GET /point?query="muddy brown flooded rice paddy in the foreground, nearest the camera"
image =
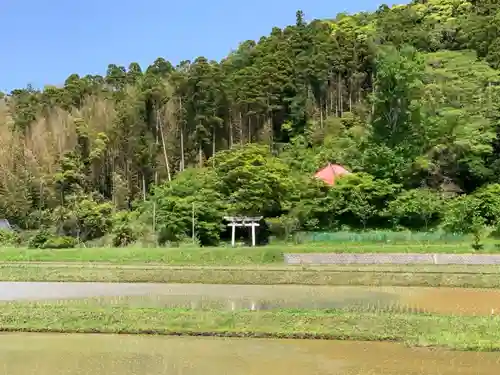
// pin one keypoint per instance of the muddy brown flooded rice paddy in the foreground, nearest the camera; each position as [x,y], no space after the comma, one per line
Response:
[59,354]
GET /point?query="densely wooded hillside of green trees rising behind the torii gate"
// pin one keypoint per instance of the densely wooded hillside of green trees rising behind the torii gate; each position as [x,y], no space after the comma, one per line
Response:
[406,95]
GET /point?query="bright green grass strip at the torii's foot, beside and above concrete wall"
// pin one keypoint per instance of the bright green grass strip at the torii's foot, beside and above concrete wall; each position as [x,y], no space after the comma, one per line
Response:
[272,254]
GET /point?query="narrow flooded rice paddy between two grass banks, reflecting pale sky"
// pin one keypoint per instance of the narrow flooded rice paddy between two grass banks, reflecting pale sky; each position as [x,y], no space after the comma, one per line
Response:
[256,297]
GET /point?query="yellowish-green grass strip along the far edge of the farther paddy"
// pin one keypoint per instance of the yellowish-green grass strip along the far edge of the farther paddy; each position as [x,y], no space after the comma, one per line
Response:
[376,275]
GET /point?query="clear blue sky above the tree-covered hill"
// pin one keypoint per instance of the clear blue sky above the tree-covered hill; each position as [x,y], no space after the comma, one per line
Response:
[44,41]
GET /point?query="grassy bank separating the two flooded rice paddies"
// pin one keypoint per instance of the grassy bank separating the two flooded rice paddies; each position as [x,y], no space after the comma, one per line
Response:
[460,333]
